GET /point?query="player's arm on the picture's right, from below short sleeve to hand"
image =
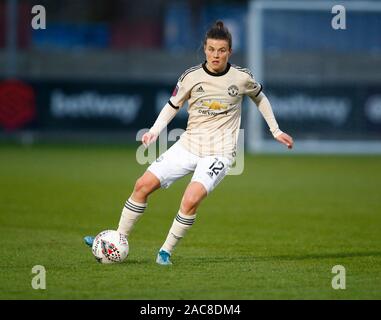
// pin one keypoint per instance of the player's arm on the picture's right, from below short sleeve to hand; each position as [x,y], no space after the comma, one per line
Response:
[266,110]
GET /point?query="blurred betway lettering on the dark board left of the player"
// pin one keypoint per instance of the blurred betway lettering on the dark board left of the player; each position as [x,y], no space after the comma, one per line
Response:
[93,105]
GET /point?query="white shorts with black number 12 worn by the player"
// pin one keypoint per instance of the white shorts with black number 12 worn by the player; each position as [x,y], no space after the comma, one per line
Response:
[177,162]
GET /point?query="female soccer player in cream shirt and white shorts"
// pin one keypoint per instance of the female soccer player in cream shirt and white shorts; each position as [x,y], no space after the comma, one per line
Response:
[214,91]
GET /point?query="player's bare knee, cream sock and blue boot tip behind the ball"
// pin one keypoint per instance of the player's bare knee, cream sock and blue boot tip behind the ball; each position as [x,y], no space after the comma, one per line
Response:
[135,205]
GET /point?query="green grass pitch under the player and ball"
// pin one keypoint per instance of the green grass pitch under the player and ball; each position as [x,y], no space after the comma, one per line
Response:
[274,232]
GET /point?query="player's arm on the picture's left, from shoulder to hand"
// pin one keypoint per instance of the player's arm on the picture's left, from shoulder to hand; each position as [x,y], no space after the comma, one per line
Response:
[180,94]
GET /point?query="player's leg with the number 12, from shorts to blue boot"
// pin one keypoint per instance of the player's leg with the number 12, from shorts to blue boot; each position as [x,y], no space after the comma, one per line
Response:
[209,172]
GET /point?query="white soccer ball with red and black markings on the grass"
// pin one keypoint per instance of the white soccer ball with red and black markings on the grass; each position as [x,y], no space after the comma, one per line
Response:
[110,246]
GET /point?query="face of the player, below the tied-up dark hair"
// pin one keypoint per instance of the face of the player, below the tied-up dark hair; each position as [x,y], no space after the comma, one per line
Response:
[217,54]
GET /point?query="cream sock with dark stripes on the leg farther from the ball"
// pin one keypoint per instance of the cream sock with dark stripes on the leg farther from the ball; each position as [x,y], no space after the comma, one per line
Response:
[181,224]
